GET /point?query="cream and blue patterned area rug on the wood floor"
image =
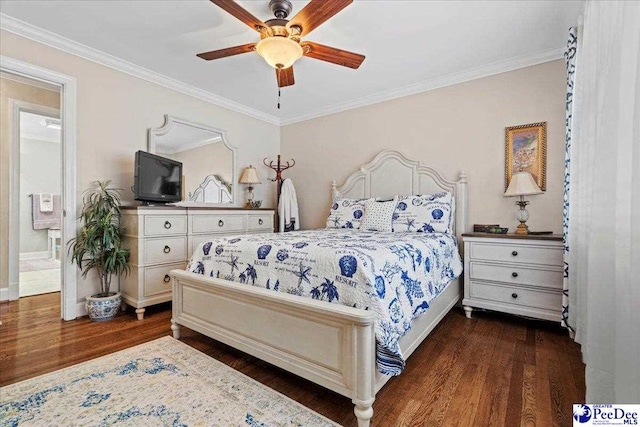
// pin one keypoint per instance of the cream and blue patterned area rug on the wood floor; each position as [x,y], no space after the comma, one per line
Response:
[163,382]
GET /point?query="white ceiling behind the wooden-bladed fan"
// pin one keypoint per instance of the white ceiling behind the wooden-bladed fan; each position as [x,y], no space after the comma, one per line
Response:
[411,46]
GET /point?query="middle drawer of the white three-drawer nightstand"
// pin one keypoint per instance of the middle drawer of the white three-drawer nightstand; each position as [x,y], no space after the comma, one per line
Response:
[516,274]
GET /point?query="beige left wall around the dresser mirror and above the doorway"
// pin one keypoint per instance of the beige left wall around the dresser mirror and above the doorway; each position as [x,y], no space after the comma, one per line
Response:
[116,109]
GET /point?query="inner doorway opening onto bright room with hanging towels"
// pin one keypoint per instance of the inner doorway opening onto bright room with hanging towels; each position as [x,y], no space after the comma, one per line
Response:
[40,174]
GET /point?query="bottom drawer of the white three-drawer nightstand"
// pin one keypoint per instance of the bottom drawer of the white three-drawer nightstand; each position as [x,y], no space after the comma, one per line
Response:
[547,300]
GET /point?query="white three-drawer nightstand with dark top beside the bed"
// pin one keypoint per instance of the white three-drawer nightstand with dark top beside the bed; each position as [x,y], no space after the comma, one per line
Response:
[513,274]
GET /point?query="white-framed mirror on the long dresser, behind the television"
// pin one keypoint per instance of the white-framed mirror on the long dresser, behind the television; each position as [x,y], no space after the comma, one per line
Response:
[208,160]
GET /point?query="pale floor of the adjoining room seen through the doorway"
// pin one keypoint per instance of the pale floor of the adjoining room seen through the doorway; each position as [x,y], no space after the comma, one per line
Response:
[39,276]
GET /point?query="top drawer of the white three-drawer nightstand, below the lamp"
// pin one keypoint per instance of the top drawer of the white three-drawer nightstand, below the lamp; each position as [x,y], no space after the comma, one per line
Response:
[521,254]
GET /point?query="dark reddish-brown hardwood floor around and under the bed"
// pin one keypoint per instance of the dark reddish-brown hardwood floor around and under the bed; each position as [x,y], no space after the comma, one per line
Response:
[492,370]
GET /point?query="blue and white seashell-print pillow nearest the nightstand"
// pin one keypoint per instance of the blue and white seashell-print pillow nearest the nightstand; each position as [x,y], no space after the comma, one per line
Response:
[429,213]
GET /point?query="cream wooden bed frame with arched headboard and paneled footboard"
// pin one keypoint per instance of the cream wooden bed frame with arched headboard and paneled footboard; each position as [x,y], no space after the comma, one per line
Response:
[329,344]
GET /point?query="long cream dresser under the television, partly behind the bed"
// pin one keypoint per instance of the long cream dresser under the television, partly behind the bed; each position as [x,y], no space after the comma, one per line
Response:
[163,238]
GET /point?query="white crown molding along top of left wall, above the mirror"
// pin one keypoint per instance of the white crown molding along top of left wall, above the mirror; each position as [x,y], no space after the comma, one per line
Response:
[40,35]
